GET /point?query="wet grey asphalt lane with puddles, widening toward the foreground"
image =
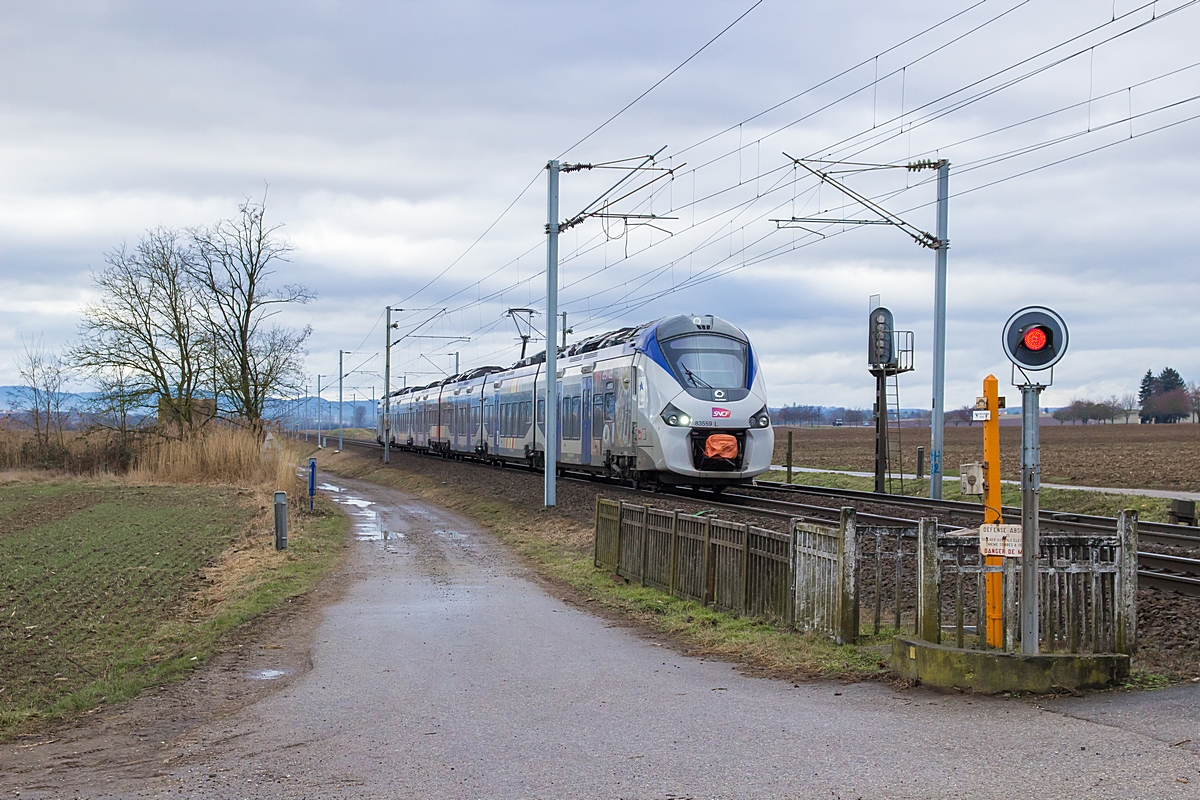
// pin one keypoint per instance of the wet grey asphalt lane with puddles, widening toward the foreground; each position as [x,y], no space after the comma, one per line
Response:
[445,672]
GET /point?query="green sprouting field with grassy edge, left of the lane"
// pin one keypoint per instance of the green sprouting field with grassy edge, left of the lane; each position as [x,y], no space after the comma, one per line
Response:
[103,586]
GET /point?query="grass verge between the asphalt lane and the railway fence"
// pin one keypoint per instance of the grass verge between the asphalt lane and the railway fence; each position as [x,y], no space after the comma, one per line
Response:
[560,550]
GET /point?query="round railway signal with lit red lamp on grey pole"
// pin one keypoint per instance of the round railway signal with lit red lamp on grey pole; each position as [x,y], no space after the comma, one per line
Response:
[1035,340]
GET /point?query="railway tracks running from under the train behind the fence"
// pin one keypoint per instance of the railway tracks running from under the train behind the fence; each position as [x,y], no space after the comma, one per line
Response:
[1168,573]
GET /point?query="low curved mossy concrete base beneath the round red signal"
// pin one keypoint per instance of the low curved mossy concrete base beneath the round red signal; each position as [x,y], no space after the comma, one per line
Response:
[991,672]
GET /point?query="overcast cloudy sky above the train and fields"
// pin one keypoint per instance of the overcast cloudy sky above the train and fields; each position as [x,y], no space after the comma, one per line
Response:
[392,136]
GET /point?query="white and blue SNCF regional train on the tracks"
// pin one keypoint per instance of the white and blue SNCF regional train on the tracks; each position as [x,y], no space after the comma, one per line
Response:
[679,401]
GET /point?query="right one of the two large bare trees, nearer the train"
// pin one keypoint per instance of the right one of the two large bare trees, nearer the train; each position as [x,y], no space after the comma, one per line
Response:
[236,261]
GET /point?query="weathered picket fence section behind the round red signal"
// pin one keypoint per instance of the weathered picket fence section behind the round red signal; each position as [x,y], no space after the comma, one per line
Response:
[1088,588]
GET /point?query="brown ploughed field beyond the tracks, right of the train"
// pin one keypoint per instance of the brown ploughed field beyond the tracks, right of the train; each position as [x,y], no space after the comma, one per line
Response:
[1136,456]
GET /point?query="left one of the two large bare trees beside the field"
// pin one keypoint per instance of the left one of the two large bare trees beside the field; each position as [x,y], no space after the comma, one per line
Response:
[148,329]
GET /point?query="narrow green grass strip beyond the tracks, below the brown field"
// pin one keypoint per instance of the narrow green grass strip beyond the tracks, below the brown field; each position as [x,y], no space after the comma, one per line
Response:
[1065,501]
